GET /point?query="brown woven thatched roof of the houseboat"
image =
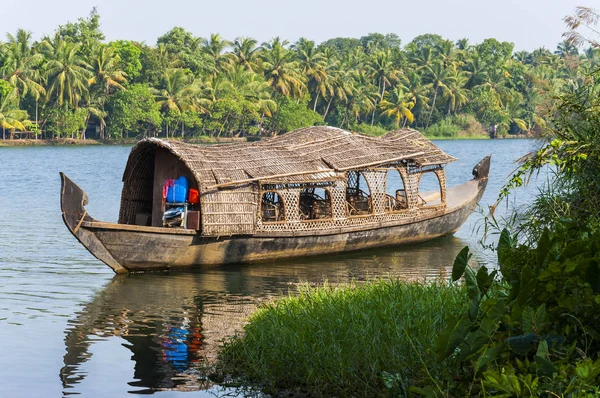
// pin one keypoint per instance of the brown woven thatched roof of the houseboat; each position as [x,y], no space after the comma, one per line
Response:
[308,154]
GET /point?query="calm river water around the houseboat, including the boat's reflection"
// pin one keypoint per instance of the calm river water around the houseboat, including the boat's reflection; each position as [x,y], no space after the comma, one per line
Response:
[69,326]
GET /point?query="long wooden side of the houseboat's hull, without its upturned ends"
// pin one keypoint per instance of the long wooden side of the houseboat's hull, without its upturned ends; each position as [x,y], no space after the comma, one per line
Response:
[140,251]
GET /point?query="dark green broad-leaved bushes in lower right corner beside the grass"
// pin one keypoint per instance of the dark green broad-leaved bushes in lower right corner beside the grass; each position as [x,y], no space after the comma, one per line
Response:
[537,331]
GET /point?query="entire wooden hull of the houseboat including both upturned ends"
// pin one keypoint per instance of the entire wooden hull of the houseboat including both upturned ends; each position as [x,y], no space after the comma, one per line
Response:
[128,248]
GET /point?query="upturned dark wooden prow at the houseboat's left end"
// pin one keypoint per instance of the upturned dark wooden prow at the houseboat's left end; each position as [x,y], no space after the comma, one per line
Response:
[72,203]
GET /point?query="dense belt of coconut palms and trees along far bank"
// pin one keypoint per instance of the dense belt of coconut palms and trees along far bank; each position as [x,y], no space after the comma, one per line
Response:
[73,83]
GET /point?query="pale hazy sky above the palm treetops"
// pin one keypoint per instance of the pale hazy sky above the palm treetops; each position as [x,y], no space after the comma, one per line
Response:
[529,24]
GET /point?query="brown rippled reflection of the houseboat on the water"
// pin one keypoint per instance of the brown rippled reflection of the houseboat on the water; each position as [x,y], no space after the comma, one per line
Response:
[173,324]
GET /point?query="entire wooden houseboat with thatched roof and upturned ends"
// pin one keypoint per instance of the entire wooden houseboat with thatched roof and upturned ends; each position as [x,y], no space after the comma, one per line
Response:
[312,191]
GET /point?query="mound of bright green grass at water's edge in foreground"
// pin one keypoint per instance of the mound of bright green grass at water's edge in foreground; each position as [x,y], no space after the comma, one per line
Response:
[340,341]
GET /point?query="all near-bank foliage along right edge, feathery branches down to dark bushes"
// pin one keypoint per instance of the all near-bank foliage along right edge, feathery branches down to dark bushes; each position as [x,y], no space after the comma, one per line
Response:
[533,329]
